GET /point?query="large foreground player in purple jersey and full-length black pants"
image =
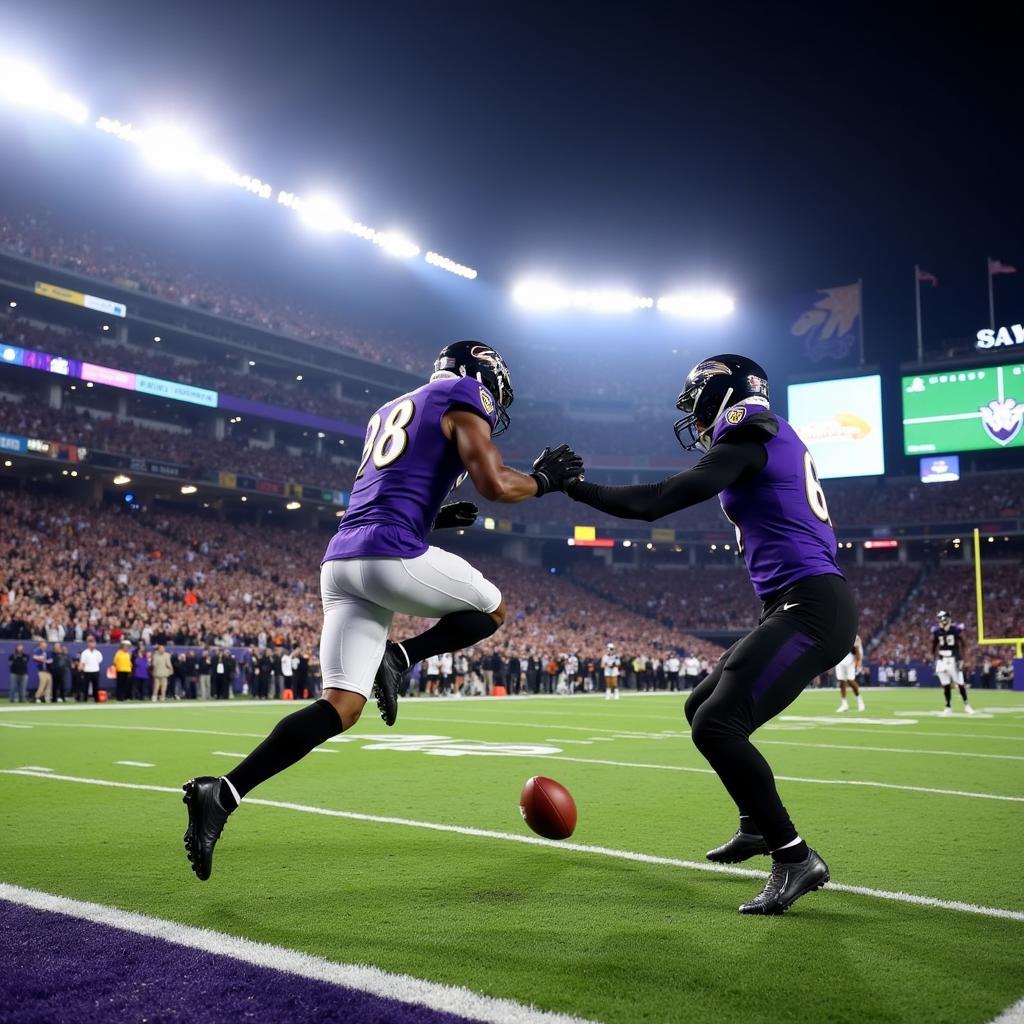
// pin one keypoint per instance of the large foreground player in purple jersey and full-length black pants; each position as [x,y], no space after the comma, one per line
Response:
[769,487]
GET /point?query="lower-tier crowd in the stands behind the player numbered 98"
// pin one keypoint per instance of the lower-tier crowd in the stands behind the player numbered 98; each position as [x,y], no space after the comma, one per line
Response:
[68,573]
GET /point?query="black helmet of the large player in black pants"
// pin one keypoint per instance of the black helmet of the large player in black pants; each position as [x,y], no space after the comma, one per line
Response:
[712,387]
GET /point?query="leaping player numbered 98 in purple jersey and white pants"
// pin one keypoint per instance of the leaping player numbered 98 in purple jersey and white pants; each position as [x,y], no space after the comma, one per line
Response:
[417,449]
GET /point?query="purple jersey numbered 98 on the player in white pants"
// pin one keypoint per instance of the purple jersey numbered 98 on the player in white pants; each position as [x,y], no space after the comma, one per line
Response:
[409,467]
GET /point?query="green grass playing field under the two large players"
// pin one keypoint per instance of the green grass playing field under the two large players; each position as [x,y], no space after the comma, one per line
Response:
[580,933]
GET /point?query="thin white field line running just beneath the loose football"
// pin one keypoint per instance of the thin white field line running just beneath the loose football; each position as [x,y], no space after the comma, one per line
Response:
[604,851]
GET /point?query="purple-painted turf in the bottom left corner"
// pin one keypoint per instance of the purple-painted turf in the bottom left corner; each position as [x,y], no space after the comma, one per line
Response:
[60,970]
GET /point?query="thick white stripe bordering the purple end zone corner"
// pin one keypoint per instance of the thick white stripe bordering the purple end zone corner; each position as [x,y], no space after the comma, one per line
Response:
[401,988]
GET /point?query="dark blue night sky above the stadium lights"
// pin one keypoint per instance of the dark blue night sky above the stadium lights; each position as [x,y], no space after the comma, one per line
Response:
[772,149]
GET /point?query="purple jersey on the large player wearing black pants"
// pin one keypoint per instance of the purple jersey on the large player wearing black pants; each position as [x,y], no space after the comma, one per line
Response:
[781,516]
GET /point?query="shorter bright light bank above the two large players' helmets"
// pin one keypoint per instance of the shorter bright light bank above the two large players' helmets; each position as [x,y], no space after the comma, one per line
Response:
[549,296]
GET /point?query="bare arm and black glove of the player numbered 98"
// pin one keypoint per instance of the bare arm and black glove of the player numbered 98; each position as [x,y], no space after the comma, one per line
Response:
[495,481]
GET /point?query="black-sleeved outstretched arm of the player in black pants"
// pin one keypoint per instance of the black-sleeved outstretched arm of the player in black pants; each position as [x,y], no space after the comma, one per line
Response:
[722,466]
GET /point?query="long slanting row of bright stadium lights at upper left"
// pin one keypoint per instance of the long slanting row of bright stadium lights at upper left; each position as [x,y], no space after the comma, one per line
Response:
[172,149]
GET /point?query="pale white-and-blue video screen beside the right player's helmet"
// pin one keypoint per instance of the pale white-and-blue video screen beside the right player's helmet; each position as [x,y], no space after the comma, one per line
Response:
[841,422]
